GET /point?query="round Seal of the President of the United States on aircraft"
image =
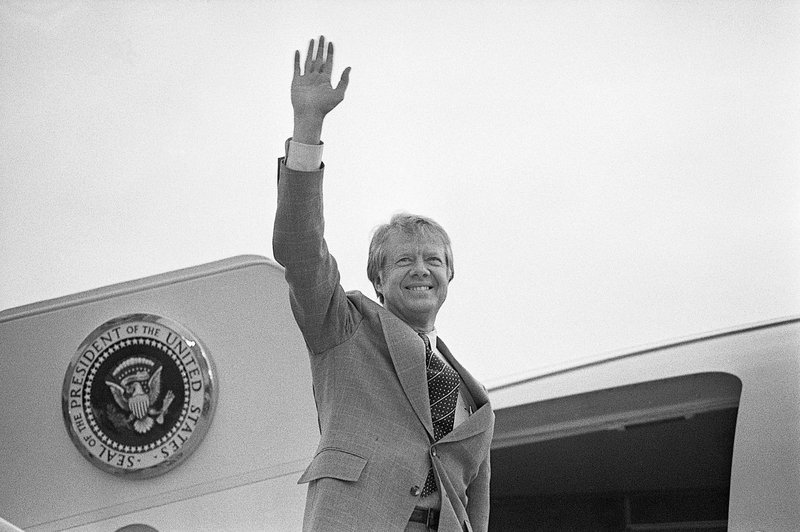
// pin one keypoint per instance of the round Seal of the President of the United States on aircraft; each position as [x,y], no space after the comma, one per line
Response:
[139,395]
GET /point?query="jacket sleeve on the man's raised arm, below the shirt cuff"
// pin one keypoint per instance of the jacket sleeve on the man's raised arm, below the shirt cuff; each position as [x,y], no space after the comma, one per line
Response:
[320,306]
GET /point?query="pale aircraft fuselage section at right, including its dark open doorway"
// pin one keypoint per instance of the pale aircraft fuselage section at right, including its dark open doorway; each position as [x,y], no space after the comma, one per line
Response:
[701,433]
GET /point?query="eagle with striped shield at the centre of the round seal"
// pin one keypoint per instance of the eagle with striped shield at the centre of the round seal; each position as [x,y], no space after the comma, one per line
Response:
[136,387]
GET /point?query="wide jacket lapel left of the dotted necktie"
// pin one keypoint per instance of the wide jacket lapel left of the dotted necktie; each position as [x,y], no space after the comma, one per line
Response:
[408,356]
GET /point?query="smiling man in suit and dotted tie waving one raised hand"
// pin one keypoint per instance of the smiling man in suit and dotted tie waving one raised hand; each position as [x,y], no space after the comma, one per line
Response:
[405,430]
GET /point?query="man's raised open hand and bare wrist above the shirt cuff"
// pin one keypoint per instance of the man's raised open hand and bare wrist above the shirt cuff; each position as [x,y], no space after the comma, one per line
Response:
[313,96]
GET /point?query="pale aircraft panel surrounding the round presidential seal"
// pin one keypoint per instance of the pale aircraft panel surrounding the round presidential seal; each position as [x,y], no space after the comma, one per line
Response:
[245,469]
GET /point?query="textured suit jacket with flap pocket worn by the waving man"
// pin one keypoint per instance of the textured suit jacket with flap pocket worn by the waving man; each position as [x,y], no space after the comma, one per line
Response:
[370,387]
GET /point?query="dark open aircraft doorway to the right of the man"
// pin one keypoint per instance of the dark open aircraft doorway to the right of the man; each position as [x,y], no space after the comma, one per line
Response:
[650,456]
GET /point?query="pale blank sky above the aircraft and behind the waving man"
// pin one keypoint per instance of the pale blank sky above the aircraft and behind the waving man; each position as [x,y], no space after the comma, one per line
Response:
[611,173]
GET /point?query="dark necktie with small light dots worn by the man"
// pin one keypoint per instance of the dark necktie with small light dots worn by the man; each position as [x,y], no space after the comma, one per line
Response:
[443,383]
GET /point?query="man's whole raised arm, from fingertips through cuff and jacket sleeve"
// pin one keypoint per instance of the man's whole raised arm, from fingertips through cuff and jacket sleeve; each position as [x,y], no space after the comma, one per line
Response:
[319,303]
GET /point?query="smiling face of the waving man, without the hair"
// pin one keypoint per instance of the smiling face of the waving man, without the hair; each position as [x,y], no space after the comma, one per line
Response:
[414,279]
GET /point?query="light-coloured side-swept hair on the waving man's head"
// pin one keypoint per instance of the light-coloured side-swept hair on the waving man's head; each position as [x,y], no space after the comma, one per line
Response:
[408,224]
